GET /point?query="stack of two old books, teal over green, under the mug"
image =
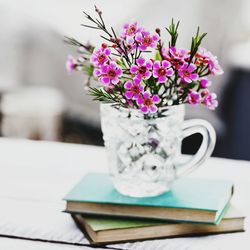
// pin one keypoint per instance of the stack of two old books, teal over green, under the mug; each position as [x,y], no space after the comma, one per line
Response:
[192,207]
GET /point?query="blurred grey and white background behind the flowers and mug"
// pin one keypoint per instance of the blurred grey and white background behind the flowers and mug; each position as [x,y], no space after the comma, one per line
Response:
[41,100]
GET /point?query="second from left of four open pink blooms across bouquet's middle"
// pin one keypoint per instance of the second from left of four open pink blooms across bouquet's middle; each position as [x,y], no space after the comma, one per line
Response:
[142,69]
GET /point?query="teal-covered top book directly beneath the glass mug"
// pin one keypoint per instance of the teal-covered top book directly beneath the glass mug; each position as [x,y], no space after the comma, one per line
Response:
[190,200]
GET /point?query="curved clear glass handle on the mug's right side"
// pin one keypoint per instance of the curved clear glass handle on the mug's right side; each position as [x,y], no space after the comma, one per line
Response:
[207,131]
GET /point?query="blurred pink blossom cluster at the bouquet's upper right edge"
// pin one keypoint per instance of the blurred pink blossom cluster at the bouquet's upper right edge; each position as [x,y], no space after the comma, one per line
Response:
[206,57]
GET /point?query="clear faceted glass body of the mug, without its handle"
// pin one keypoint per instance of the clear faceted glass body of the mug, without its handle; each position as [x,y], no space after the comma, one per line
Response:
[143,150]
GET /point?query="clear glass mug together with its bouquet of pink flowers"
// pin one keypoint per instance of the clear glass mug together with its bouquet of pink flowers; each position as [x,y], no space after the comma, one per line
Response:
[143,83]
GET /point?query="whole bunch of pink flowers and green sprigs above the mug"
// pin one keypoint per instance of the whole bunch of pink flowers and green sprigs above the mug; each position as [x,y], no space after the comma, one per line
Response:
[132,78]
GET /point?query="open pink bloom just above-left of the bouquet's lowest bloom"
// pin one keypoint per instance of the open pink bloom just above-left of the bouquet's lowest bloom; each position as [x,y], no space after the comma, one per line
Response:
[133,89]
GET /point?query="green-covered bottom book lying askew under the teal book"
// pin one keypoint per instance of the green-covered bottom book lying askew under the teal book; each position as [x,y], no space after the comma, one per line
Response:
[112,230]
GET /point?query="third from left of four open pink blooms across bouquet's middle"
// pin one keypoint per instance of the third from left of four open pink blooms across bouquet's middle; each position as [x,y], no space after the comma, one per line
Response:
[162,70]
